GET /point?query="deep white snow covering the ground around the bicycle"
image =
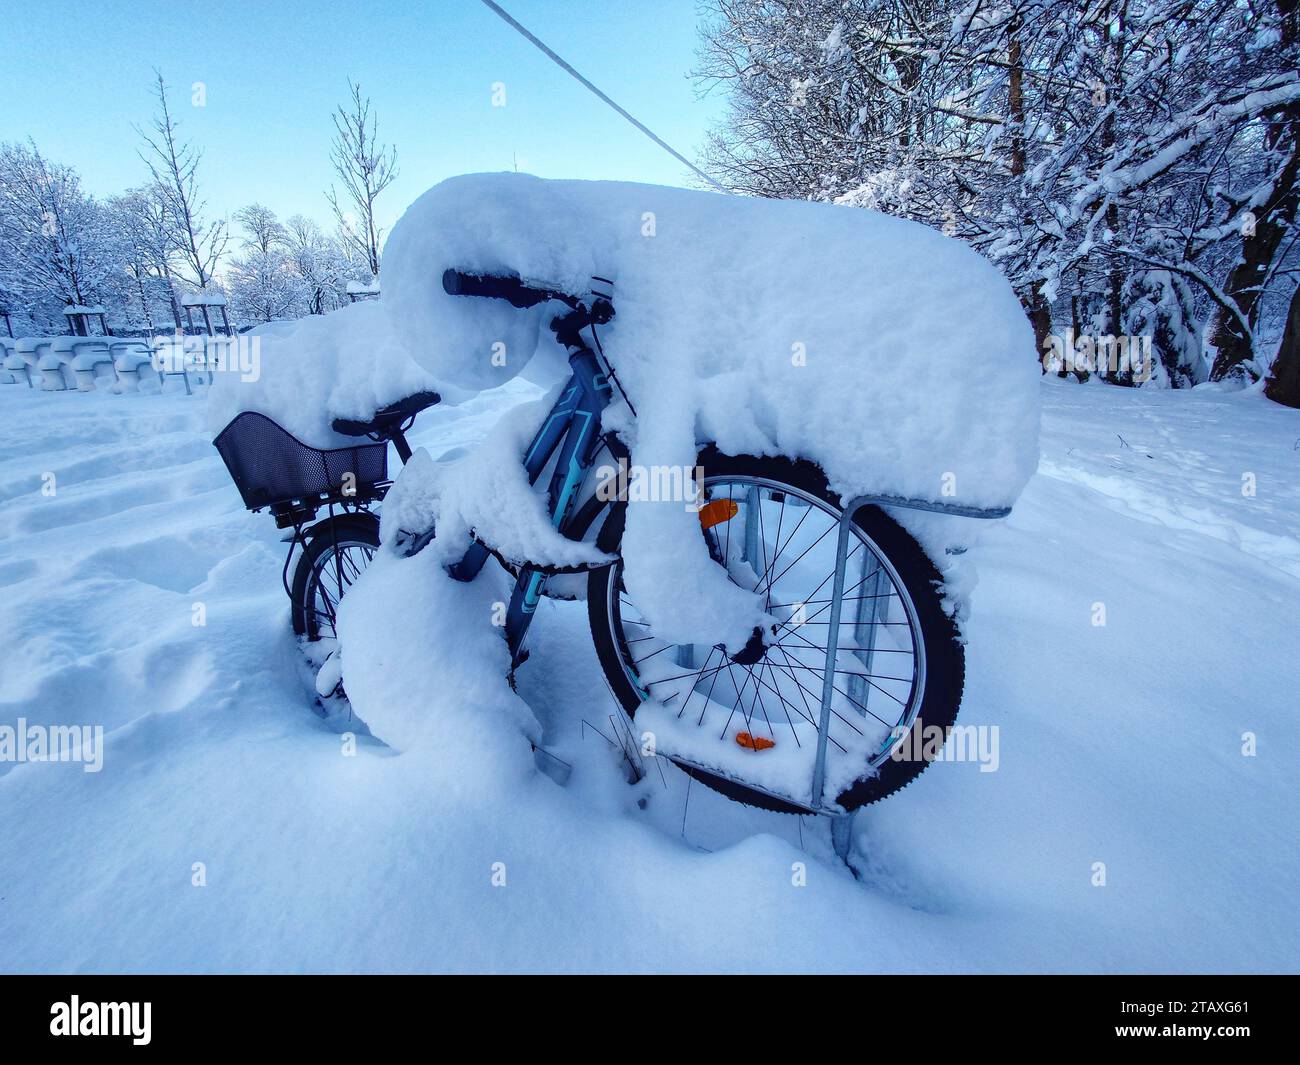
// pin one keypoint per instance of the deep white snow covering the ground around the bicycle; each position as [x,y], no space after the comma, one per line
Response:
[1119,744]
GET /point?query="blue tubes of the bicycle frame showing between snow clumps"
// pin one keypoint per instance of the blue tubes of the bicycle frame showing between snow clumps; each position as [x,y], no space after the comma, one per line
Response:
[574,430]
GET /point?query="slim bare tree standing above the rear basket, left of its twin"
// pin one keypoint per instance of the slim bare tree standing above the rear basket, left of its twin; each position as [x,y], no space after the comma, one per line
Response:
[197,244]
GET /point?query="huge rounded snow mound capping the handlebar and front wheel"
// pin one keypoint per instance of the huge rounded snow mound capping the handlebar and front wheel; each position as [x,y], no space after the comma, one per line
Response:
[898,360]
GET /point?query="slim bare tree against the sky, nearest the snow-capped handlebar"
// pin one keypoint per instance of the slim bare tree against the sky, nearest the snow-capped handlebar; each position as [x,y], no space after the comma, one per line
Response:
[365,168]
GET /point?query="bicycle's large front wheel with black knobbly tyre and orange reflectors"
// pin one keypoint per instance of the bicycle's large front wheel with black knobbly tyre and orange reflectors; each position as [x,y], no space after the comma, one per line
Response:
[749,724]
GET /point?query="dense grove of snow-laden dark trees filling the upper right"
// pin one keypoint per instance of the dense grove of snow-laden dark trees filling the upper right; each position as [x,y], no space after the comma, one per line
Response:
[1059,137]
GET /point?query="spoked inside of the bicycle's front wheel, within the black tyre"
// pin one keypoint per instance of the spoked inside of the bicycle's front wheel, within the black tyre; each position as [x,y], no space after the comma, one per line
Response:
[786,681]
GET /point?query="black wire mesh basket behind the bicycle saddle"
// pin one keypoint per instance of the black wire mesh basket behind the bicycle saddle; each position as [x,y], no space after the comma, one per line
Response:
[270,465]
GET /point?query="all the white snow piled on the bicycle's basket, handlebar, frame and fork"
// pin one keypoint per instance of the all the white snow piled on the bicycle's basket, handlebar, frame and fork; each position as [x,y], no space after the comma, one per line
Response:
[896,360]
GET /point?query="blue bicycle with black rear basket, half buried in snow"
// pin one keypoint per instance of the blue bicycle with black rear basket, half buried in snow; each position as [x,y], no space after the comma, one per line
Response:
[855,651]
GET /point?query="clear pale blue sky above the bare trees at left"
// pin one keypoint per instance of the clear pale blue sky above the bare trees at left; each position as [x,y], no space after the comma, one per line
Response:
[77,76]
